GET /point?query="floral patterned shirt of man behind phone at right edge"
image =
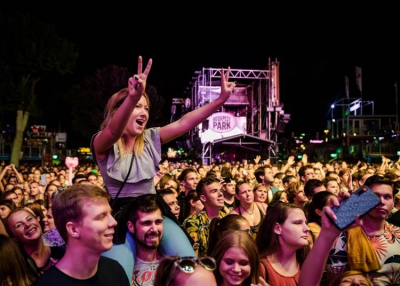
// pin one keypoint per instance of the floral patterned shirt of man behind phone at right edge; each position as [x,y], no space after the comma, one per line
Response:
[387,248]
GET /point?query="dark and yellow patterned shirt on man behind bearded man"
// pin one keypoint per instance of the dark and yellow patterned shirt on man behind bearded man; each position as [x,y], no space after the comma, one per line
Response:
[198,227]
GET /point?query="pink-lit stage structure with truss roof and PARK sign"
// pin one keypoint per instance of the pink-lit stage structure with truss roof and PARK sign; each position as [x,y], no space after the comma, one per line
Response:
[251,118]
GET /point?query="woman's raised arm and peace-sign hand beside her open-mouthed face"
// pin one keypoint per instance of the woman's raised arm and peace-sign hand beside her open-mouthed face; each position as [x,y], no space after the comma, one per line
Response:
[115,128]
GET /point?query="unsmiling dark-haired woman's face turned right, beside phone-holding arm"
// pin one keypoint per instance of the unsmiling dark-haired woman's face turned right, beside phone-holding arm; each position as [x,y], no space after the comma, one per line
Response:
[293,232]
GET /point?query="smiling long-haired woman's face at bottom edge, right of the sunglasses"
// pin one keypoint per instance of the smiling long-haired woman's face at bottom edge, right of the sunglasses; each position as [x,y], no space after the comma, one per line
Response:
[235,266]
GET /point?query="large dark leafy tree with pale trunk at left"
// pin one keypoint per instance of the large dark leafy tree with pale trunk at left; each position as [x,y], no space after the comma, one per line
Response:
[30,50]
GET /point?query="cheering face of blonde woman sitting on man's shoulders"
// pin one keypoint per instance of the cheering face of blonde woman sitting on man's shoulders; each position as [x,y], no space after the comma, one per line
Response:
[138,119]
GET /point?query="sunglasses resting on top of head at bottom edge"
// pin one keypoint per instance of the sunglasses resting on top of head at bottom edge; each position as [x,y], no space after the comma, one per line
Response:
[189,264]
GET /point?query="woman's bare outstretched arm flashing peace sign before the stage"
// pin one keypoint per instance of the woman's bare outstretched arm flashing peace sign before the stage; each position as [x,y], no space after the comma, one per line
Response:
[195,117]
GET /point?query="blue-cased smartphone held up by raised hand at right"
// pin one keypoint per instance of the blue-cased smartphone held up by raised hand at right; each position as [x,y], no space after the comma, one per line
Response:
[359,203]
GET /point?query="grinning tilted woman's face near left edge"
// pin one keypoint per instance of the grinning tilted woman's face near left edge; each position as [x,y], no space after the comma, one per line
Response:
[24,226]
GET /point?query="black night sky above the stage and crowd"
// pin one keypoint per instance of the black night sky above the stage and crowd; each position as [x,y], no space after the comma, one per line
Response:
[315,52]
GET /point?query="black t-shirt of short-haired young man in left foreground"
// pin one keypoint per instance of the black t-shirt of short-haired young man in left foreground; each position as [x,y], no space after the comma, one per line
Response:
[109,272]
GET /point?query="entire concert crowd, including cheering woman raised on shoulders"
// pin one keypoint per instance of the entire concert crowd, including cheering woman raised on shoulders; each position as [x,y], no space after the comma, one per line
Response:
[133,219]
